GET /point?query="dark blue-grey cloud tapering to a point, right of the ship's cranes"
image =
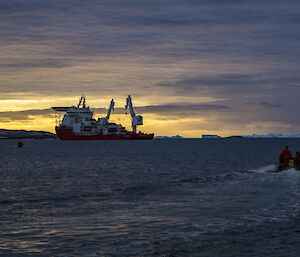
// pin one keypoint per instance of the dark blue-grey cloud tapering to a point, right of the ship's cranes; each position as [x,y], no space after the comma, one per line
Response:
[238,89]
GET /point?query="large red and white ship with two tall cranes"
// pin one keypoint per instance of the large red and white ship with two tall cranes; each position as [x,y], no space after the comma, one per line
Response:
[78,124]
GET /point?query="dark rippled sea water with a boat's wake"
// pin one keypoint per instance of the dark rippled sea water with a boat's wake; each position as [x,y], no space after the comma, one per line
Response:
[148,198]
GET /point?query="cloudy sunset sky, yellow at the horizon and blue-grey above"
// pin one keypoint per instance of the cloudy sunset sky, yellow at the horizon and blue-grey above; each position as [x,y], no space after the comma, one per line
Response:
[192,67]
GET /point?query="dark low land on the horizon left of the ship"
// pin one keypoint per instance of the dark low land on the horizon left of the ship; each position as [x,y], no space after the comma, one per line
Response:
[15,134]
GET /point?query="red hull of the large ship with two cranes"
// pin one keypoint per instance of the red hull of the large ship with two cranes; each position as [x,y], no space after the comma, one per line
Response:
[64,133]
